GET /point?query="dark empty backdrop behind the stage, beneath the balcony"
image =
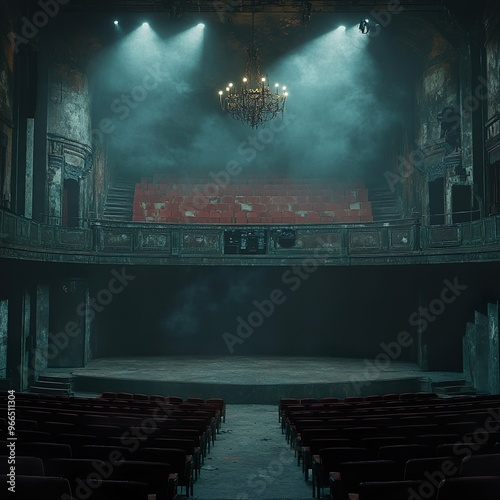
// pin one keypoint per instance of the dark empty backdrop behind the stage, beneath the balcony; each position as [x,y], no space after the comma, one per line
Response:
[287,311]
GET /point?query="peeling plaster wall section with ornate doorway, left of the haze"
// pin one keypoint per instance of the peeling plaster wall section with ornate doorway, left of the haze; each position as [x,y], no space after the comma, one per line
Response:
[69,121]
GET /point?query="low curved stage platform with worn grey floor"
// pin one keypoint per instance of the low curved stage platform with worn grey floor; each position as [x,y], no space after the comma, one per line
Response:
[251,379]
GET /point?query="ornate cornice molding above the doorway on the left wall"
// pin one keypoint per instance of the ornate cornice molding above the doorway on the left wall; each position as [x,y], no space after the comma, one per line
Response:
[75,159]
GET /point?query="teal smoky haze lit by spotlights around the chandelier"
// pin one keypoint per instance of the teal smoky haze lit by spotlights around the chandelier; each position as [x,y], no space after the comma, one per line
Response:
[160,92]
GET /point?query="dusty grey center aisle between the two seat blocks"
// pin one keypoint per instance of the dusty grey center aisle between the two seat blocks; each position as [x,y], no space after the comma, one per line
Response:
[251,460]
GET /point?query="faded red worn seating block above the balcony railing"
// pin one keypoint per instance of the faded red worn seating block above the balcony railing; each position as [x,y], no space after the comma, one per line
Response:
[261,201]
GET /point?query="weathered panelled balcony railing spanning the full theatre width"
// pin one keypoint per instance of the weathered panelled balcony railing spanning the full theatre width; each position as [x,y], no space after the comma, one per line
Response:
[330,244]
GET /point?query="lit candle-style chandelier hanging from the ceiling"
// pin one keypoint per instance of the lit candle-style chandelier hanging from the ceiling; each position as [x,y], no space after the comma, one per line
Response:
[253,103]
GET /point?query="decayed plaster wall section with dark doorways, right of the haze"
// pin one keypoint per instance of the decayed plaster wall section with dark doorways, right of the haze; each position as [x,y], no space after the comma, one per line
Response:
[445,83]
